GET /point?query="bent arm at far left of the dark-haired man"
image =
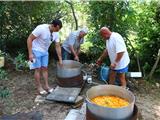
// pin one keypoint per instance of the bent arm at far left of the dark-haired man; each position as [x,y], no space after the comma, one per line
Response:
[29,45]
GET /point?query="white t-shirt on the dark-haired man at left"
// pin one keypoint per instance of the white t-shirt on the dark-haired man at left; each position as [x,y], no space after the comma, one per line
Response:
[43,40]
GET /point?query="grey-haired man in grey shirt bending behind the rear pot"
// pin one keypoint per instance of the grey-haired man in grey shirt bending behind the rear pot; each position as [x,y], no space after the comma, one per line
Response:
[71,46]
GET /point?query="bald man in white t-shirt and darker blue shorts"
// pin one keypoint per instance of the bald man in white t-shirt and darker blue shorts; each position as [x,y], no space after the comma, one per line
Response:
[118,55]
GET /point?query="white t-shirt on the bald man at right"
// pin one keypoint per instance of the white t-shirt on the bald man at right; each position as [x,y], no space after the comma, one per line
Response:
[115,45]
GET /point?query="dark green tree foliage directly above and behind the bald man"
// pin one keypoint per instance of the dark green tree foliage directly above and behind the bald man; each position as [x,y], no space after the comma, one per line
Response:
[117,15]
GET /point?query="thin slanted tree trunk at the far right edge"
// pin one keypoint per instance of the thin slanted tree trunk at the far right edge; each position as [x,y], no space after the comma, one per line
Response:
[154,67]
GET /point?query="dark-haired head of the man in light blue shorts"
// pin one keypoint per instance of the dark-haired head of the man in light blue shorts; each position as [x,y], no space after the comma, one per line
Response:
[56,25]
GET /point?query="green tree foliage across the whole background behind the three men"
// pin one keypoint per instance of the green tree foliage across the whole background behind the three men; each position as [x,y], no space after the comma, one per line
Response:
[137,21]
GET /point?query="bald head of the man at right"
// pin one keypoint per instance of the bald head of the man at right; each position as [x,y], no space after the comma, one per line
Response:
[105,33]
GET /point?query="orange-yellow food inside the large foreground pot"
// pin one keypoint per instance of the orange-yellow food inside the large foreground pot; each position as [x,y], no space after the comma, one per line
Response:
[110,101]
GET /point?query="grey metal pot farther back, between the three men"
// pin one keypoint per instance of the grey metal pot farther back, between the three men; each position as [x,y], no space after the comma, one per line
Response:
[69,69]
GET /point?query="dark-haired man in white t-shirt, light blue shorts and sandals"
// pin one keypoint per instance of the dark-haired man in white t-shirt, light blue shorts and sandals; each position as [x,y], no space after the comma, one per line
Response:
[38,43]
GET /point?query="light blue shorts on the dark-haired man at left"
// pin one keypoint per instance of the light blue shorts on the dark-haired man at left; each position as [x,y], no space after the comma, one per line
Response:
[41,59]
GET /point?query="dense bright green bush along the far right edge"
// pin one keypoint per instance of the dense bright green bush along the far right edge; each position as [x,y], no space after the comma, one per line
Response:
[148,33]
